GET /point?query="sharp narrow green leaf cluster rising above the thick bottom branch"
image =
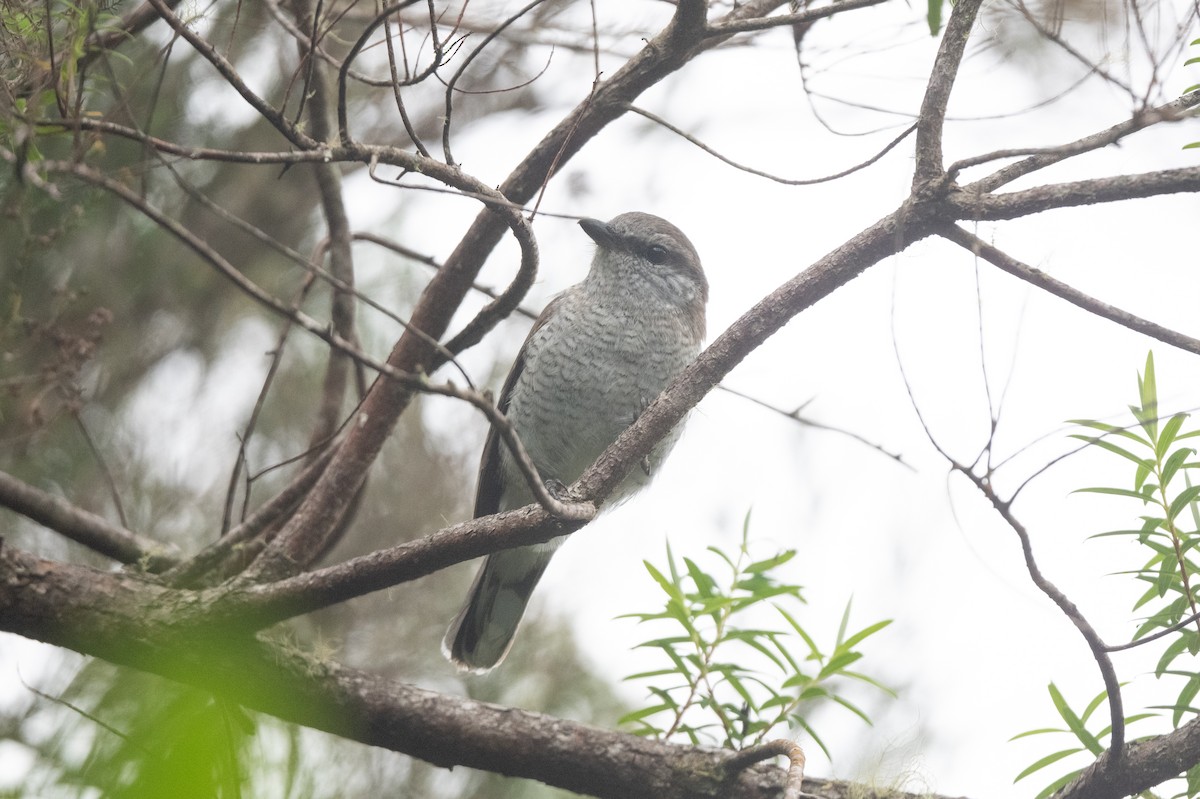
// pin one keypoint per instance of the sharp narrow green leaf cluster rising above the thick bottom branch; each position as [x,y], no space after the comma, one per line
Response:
[728,680]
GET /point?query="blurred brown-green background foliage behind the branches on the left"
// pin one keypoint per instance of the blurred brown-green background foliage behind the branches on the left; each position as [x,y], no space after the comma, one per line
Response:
[129,370]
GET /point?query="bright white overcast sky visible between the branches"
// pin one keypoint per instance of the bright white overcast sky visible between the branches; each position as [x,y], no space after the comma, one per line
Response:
[974,644]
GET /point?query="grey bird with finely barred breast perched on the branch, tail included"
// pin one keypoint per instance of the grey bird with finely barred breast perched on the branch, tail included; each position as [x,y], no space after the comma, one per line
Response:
[598,355]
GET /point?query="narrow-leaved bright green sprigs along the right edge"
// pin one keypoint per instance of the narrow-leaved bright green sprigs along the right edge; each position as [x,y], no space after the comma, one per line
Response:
[1163,456]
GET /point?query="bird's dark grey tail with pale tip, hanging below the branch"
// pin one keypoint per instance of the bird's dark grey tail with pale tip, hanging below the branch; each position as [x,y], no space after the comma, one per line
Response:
[482,635]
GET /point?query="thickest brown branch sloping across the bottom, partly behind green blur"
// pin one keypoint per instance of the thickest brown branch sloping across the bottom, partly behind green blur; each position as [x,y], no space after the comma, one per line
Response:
[122,620]
